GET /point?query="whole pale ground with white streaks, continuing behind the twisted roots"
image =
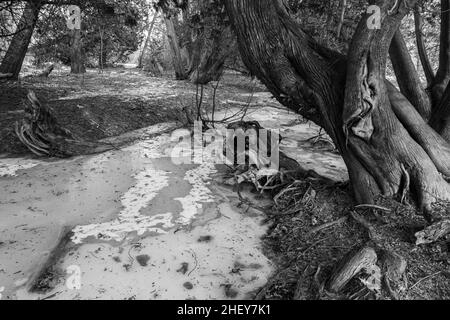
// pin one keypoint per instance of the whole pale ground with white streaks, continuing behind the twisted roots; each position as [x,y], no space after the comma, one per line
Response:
[134,224]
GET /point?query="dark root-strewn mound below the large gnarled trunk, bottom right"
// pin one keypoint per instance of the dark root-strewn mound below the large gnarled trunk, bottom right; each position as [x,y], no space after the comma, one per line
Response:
[334,250]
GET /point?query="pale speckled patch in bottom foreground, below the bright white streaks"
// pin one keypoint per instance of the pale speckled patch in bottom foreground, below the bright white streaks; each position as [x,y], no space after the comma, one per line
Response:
[235,244]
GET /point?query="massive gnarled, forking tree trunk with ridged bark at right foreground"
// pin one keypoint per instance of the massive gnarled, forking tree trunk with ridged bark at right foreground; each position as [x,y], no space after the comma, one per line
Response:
[384,138]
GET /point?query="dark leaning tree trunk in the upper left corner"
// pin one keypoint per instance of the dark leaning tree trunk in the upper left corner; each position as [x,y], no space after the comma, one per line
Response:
[17,50]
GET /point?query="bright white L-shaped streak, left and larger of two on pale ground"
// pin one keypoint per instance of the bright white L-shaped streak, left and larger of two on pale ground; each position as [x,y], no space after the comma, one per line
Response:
[149,183]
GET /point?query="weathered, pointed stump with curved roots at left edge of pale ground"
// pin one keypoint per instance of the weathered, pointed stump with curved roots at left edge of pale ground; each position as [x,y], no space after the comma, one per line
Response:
[40,132]
